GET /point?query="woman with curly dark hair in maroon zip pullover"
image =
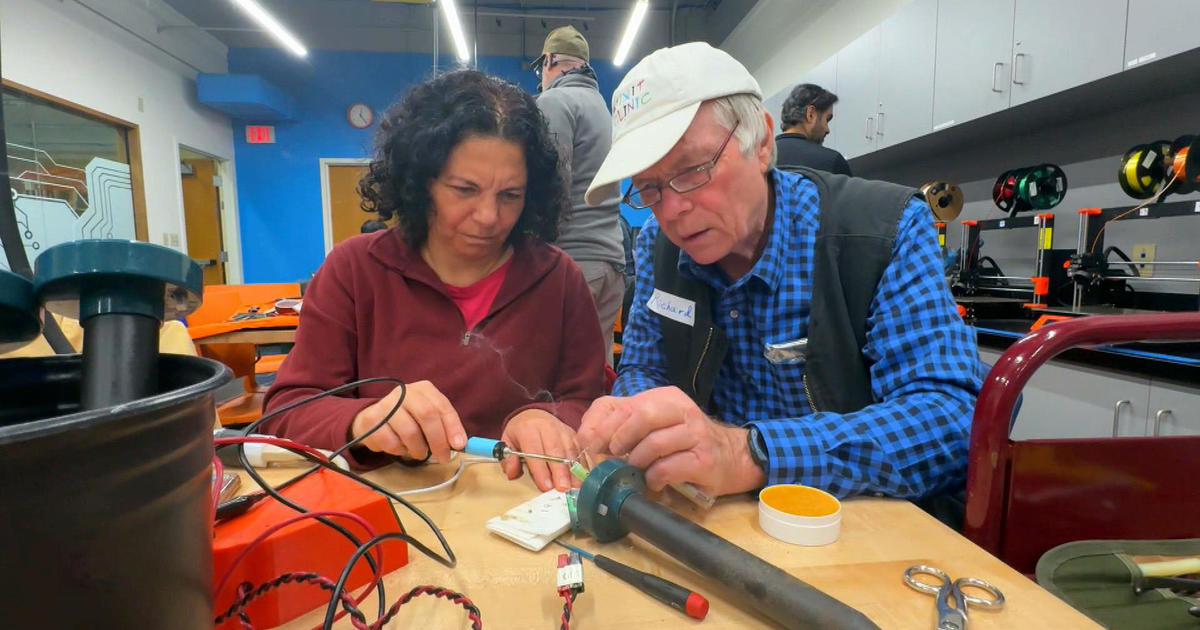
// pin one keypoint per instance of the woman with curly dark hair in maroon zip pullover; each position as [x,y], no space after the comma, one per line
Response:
[491,328]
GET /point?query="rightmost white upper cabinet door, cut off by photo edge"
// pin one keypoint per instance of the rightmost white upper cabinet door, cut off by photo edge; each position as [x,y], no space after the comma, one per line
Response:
[1161,28]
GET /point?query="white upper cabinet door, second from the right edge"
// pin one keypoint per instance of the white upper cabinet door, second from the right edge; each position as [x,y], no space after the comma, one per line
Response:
[1060,45]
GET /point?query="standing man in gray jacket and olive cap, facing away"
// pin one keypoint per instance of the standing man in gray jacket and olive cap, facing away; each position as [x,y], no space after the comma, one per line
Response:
[583,128]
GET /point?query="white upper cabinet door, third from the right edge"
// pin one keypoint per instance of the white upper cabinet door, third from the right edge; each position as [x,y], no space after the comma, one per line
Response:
[974,63]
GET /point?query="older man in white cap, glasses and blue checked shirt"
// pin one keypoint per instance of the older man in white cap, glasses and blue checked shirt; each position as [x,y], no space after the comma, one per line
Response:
[787,327]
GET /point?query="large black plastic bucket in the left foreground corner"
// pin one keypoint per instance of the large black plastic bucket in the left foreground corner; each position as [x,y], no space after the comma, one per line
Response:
[105,514]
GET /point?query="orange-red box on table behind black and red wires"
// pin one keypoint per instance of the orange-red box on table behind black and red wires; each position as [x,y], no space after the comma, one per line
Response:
[303,547]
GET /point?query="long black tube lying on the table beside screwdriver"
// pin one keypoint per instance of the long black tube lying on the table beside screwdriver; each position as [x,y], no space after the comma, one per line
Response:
[777,595]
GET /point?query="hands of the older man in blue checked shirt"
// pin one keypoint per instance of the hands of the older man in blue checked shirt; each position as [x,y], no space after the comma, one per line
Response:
[664,433]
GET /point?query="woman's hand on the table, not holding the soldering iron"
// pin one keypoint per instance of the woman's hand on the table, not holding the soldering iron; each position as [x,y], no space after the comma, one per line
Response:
[538,431]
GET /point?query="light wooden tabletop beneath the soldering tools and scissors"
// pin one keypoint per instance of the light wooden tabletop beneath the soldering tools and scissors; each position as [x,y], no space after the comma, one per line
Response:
[514,587]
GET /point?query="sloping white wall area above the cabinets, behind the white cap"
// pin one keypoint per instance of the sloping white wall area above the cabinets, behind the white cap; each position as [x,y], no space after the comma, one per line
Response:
[781,40]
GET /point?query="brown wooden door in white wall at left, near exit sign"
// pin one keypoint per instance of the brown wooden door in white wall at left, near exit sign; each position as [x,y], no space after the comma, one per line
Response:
[202,214]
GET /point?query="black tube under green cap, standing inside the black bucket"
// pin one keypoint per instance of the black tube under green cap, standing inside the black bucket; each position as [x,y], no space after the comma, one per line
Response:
[121,359]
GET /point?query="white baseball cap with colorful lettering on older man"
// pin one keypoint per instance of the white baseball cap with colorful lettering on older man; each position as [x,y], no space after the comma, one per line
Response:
[656,104]
